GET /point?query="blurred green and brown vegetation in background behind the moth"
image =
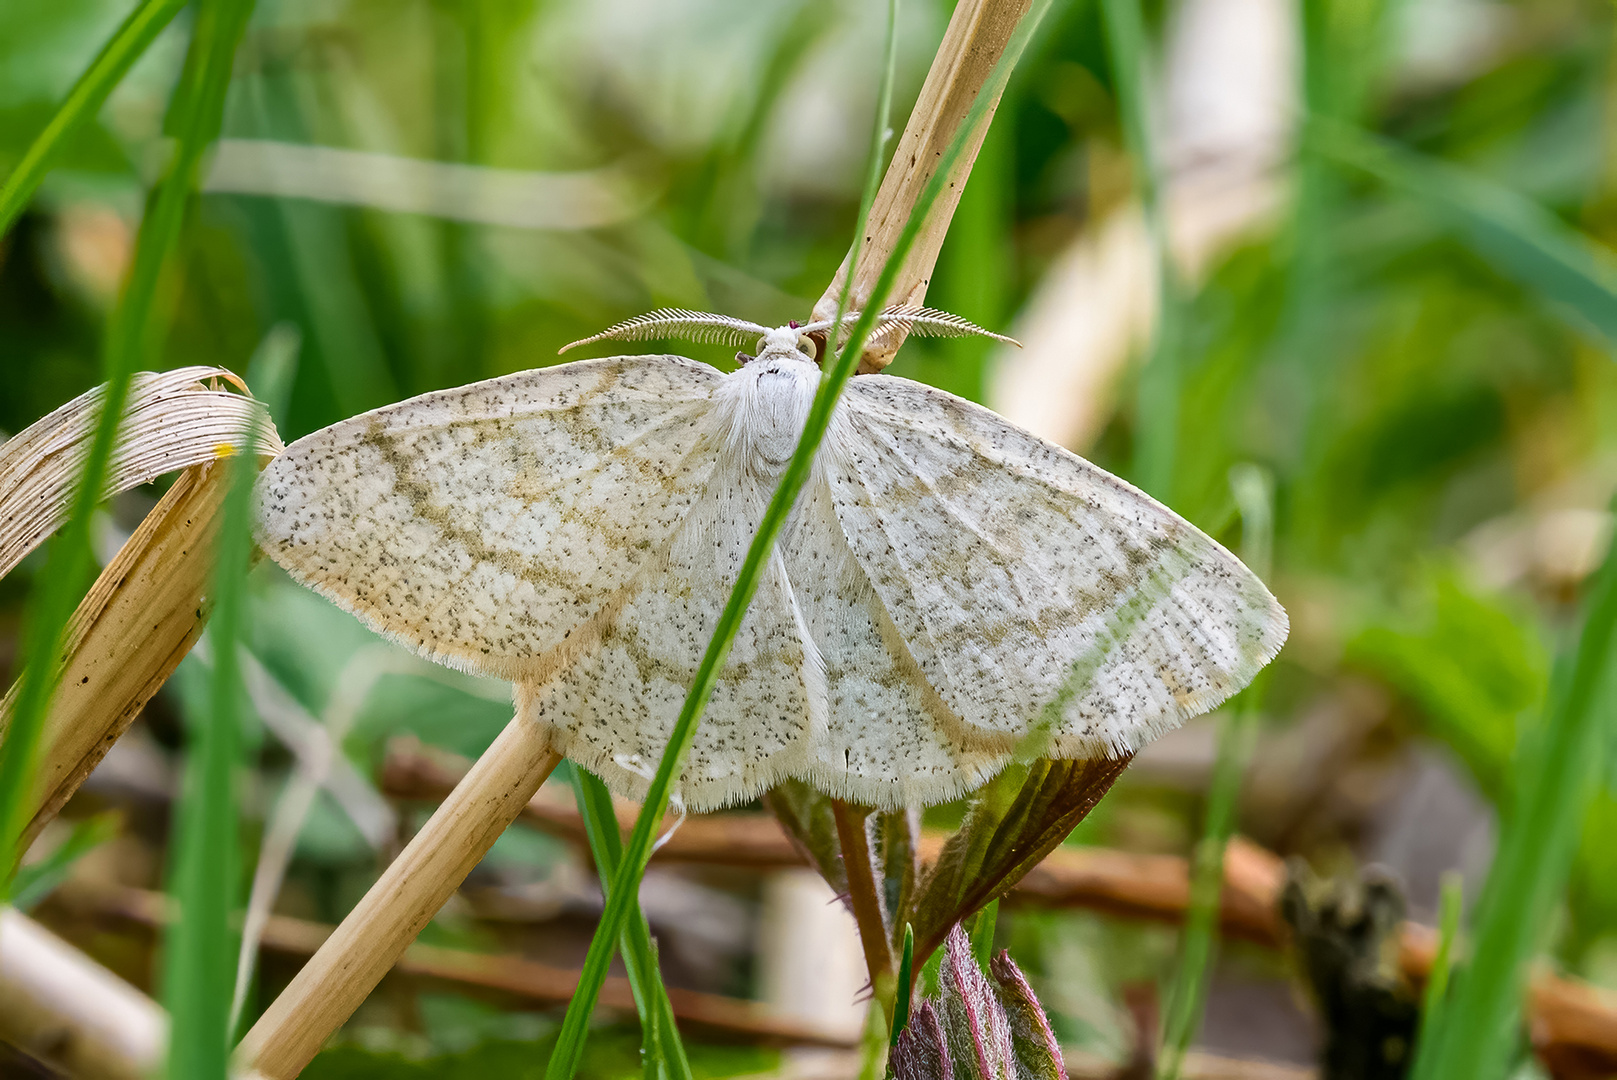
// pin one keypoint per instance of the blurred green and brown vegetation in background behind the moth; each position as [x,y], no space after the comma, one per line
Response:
[1375,324]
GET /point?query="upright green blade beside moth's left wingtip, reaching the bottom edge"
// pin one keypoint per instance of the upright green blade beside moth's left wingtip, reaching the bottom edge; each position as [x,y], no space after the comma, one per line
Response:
[200,951]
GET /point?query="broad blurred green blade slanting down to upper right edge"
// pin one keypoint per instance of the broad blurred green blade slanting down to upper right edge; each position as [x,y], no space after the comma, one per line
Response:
[1521,238]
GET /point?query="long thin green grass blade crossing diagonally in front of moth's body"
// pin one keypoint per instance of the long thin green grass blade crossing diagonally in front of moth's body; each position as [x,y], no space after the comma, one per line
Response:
[570,1044]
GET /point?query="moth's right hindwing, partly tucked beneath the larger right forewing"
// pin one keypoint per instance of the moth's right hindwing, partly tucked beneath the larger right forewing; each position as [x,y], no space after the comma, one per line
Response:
[890,740]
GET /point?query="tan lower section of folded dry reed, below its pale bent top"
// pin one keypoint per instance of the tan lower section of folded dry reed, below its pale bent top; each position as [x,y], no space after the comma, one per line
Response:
[129,635]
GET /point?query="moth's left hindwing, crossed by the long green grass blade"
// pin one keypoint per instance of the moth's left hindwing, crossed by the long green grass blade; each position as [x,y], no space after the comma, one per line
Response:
[614,706]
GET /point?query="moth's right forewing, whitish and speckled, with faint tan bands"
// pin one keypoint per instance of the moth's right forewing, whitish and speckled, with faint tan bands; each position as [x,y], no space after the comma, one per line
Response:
[1032,588]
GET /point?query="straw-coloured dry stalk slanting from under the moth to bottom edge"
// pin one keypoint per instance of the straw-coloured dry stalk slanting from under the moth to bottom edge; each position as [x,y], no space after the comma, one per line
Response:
[400,905]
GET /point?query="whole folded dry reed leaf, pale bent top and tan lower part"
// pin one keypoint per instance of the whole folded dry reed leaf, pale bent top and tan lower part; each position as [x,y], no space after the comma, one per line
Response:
[150,604]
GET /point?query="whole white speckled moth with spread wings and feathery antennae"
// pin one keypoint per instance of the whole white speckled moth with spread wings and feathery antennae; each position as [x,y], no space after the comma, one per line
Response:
[948,586]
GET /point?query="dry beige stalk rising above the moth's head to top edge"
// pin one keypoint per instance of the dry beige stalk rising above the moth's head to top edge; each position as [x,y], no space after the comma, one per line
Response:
[979,33]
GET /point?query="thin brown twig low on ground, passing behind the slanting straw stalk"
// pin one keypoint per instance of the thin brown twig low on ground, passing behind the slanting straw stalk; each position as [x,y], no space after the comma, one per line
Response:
[505,976]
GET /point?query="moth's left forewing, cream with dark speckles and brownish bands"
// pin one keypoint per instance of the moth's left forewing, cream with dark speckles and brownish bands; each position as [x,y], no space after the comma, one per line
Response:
[484,525]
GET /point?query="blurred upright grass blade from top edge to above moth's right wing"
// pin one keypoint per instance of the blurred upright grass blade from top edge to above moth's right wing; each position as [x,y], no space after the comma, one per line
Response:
[1157,405]
